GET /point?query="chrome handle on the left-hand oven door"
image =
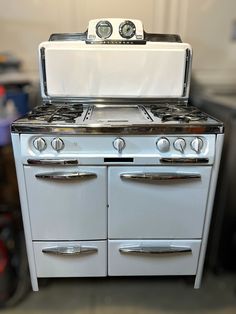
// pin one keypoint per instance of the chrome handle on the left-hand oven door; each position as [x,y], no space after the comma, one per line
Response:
[66,175]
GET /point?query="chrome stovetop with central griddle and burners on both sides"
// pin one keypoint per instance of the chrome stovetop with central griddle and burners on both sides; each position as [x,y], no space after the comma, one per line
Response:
[163,116]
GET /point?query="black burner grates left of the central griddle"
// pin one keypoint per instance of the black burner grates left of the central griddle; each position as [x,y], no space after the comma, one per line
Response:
[50,113]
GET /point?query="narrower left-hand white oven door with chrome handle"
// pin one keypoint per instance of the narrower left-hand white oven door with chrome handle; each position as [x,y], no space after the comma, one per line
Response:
[67,203]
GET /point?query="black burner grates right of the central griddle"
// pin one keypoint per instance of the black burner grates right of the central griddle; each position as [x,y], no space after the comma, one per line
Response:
[182,113]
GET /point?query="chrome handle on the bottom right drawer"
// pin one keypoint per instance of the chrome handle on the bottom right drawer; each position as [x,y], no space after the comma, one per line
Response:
[154,249]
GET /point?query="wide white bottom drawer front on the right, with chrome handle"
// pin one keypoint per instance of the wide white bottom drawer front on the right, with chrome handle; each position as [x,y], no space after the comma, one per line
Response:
[152,257]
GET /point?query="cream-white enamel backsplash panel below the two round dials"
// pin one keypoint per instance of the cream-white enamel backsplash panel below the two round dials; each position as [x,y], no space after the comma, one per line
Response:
[79,70]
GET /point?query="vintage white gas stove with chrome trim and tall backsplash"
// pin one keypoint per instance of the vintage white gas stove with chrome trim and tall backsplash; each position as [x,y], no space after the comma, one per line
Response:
[116,171]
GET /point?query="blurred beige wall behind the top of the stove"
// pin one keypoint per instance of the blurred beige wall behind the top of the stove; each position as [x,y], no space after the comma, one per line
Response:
[207,24]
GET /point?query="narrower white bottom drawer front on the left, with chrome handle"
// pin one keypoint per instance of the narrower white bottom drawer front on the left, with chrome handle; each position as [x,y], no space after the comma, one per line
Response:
[71,259]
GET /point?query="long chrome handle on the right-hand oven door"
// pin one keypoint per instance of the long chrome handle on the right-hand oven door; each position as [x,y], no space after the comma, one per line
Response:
[149,176]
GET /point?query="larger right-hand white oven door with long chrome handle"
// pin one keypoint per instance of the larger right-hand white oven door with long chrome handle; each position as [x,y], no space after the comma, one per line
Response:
[157,202]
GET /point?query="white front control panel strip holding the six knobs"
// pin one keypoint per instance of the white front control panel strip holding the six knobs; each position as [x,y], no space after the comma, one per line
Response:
[143,149]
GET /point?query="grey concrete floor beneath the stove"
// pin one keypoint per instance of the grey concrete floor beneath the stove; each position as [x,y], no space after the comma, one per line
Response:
[131,295]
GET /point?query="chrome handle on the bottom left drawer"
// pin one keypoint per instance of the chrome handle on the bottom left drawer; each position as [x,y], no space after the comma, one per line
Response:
[70,250]
